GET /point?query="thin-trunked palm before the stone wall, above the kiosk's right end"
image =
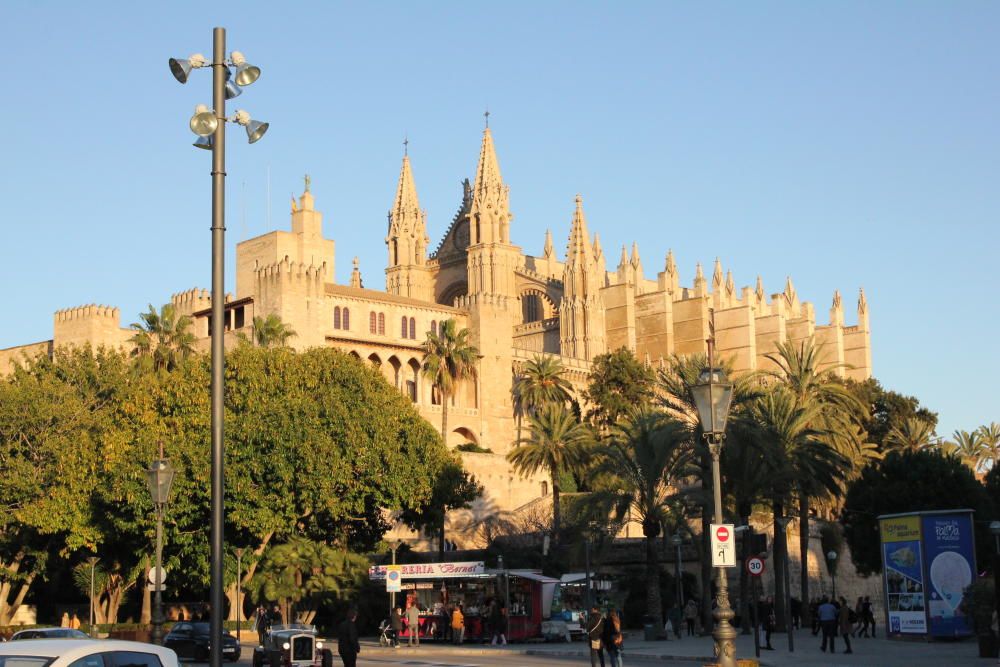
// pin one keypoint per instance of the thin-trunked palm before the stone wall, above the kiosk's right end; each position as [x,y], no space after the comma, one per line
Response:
[556,442]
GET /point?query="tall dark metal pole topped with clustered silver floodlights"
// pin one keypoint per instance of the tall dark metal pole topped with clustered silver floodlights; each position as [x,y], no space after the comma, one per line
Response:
[210,126]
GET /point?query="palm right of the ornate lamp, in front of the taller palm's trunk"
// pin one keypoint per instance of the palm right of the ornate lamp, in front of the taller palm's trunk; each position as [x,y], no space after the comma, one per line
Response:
[798,453]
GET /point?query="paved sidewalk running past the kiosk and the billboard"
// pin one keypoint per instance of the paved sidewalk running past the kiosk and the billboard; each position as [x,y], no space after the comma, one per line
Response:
[698,650]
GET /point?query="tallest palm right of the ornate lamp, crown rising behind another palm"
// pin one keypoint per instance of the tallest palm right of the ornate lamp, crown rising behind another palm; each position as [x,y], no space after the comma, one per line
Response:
[839,419]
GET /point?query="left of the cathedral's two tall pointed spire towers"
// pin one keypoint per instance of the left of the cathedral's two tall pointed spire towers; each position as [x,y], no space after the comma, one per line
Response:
[406,273]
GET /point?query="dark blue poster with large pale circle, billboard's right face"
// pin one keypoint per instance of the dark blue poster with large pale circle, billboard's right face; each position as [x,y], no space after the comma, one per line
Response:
[949,567]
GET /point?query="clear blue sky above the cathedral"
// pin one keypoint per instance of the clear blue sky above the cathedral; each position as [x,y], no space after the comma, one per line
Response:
[845,144]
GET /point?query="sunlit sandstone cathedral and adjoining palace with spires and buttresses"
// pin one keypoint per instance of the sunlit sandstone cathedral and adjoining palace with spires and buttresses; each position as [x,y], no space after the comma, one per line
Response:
[515,306]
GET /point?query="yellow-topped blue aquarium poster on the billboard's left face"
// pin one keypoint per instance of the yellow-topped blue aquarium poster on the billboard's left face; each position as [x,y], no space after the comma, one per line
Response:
[904,575]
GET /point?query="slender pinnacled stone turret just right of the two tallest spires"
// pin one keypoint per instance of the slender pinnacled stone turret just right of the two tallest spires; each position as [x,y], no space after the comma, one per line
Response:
[581,313]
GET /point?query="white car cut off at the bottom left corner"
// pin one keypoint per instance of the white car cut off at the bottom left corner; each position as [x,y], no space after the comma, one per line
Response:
[84,653]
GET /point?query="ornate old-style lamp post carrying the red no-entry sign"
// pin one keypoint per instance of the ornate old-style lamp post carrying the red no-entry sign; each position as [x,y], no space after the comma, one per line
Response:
[712,396]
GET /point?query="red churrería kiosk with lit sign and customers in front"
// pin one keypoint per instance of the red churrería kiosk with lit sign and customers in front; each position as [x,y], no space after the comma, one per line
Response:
[436,588]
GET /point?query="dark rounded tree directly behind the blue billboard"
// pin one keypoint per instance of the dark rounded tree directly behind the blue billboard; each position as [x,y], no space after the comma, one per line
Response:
[910,481]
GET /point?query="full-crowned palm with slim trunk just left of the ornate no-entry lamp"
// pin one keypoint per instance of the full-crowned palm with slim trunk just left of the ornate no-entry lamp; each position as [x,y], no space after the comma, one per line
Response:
[648,455]
